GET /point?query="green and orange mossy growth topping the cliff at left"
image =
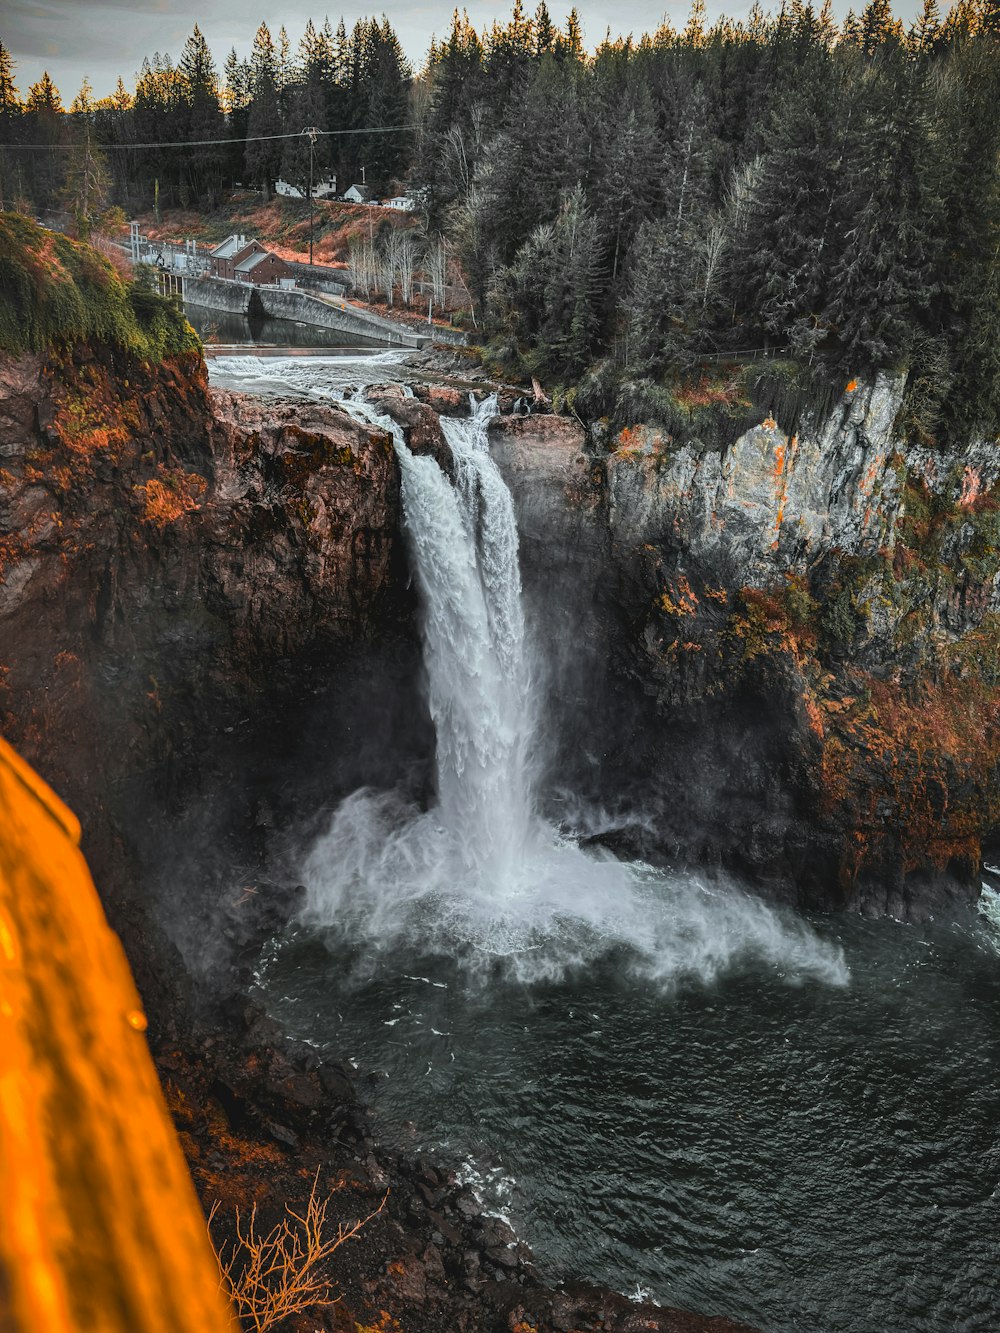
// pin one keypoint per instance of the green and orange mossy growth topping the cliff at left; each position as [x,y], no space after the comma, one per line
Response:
[55,291]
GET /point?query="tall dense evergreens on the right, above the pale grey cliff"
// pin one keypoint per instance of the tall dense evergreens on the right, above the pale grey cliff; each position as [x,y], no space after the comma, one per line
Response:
[785,183]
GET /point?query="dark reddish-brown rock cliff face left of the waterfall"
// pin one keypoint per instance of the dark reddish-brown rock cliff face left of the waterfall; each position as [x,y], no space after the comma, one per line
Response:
[199,595]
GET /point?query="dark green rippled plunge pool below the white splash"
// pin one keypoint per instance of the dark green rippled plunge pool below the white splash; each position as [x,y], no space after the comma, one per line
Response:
[807,1156]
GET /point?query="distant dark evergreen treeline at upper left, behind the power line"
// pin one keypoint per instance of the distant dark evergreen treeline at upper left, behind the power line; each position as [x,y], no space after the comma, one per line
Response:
[331,82]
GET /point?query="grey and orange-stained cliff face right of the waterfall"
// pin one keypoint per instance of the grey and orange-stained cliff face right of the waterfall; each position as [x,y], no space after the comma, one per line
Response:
[802,637]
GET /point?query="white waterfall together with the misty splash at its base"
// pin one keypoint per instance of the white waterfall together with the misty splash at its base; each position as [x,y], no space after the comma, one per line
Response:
[481,876]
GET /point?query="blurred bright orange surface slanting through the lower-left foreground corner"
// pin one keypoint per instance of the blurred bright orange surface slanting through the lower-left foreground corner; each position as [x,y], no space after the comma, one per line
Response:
[99,1223]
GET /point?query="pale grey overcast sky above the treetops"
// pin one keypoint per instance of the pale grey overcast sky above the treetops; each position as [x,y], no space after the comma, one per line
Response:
[110,38]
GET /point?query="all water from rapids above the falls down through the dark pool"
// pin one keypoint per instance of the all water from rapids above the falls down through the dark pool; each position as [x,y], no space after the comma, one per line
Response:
[666,1086]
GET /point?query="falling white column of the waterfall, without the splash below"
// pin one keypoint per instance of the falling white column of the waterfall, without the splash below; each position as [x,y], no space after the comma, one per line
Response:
[465,545]
